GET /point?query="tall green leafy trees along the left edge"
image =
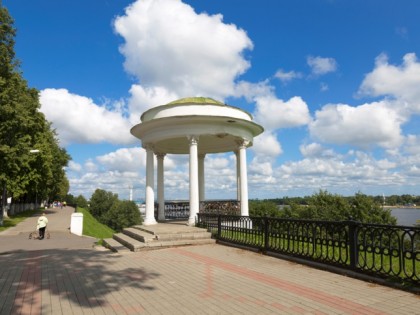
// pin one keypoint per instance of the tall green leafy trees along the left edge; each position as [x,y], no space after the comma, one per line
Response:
[24,176]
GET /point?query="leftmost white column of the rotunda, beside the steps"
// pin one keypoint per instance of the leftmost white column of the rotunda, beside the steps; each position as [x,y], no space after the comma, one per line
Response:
[150,194]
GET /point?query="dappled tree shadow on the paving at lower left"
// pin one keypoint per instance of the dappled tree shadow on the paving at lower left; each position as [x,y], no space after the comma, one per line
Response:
[84,277]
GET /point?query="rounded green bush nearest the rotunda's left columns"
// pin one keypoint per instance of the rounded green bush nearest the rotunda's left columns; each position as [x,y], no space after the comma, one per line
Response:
[123,214]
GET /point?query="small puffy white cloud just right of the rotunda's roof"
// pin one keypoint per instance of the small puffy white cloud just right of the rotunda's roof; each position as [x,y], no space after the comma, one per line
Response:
[274,113]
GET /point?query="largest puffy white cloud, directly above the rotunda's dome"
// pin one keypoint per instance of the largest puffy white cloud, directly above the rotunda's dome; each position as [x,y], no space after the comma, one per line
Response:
[168,44]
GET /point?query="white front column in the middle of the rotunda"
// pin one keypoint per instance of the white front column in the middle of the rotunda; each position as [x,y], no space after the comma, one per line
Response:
[194,197]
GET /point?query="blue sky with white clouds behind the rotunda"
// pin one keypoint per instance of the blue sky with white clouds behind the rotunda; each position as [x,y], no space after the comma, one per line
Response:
[334,83]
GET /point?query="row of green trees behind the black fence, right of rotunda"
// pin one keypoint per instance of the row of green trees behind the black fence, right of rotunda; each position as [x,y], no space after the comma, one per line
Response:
[325,206]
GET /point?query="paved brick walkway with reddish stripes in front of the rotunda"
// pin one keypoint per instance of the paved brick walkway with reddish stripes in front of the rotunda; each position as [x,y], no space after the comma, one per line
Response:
[67,275]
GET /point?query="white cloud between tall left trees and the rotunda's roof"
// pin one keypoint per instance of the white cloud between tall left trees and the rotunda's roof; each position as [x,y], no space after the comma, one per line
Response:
[78,119]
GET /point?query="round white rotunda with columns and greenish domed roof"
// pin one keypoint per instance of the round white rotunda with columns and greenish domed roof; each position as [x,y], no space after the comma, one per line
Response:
[196,126]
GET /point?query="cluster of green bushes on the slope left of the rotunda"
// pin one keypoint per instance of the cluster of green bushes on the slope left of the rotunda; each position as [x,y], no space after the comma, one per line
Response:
[109,210]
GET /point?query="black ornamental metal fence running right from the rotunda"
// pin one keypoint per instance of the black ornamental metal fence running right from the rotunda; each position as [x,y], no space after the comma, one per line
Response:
[382,251]
